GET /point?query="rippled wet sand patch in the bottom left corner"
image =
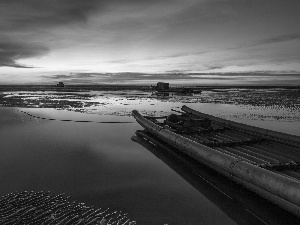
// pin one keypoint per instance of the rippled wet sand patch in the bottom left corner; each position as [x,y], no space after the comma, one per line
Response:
[43,208]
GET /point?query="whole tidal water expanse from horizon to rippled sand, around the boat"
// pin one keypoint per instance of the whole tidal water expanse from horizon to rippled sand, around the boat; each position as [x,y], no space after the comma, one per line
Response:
[78,140]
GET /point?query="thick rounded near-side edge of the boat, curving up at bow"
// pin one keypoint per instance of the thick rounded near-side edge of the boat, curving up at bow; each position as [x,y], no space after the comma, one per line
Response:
[281,190]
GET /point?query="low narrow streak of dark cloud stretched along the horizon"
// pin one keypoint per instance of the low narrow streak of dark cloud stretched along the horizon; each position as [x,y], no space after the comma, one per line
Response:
[110,78]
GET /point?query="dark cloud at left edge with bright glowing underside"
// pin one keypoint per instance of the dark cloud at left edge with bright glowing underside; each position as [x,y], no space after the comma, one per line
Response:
[9,52]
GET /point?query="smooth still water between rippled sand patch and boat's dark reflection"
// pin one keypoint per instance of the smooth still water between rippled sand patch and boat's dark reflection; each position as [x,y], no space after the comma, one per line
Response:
[96,163]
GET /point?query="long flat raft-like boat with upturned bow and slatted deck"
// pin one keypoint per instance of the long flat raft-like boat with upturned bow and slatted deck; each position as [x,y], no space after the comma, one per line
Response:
[264,161]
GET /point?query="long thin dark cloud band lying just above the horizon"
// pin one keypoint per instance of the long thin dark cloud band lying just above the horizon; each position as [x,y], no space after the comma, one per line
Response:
[176,78]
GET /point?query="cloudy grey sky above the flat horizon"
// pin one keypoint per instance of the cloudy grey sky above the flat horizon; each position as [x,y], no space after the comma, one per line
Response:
[253,42]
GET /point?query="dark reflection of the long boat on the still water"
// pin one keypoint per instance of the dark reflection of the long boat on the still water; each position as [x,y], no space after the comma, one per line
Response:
[238,203]
